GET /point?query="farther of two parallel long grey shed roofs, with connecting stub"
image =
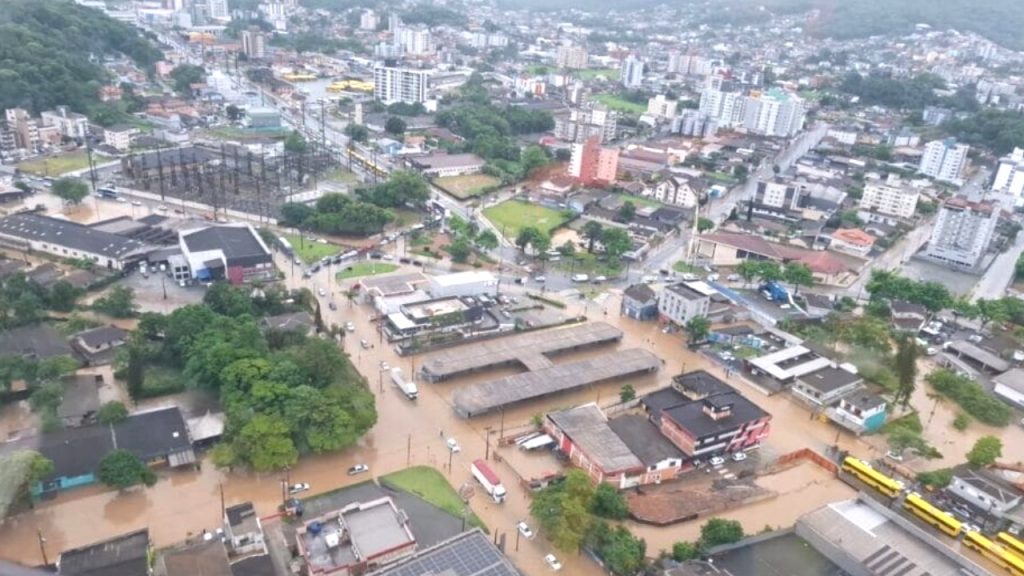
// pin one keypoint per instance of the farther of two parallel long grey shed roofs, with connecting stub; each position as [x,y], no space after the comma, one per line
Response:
[529,350]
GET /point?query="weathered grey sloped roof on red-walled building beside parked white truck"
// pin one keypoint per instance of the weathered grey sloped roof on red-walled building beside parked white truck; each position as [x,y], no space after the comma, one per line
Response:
[589,430]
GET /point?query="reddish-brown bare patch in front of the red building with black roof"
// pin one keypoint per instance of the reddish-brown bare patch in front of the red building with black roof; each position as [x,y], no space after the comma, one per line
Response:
[670,504]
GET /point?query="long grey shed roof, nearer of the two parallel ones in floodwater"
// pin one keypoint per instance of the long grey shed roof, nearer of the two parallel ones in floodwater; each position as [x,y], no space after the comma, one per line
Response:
[485,397]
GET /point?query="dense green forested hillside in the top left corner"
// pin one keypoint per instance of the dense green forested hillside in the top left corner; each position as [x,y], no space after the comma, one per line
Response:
[50,49]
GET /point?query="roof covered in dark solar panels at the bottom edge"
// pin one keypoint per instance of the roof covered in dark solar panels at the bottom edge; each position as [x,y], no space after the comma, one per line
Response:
[470,554]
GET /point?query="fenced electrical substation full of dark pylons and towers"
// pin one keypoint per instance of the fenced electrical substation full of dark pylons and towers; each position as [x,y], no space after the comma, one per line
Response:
[230,177]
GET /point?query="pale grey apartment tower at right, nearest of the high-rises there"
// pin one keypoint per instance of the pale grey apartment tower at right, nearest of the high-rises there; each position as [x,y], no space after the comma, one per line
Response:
[963,232]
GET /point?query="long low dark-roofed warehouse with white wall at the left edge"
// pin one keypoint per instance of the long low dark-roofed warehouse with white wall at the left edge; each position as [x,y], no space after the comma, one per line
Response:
[66,239]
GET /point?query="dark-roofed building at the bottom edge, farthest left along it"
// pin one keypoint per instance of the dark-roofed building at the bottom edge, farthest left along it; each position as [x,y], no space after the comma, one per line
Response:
[127,555]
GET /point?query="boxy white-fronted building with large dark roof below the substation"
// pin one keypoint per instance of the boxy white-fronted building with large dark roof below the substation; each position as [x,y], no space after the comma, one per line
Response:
[234,253]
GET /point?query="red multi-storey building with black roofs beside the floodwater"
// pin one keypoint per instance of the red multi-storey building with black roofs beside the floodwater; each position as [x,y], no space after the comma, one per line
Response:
[718,421]
